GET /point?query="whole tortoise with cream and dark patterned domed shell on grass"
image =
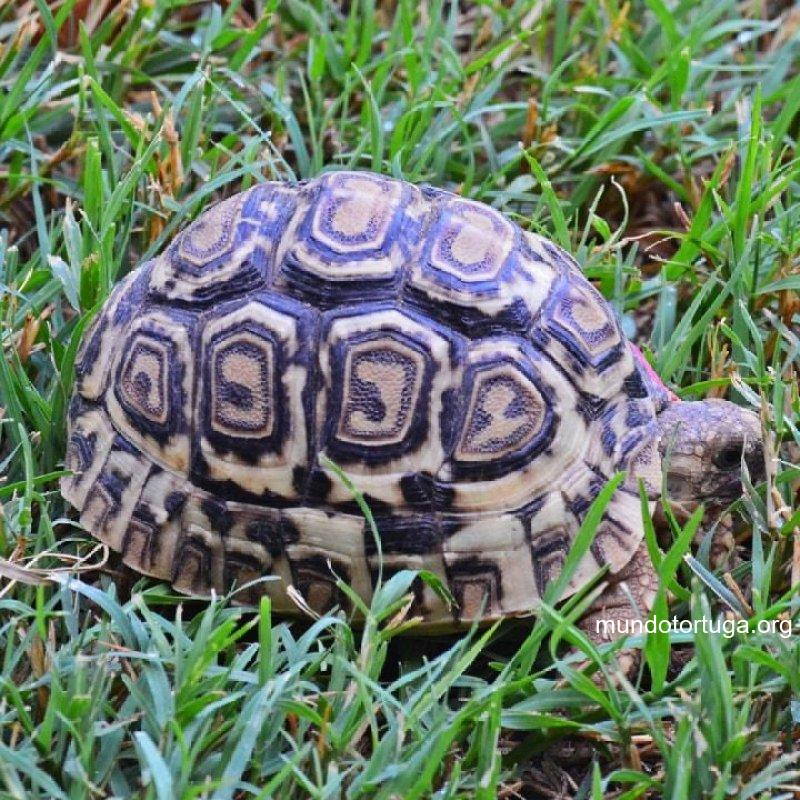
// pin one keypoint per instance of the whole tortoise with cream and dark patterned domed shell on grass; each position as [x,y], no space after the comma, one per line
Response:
[459,370]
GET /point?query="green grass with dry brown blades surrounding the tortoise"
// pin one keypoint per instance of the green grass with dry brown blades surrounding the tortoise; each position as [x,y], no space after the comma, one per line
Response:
[655,139]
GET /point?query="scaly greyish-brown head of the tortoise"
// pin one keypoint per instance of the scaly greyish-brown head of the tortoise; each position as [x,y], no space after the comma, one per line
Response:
[705,445]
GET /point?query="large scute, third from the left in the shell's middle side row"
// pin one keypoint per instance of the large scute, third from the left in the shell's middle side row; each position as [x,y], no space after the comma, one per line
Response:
[386,379]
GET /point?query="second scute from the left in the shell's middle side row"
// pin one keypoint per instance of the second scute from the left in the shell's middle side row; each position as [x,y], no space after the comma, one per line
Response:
[250,417]
